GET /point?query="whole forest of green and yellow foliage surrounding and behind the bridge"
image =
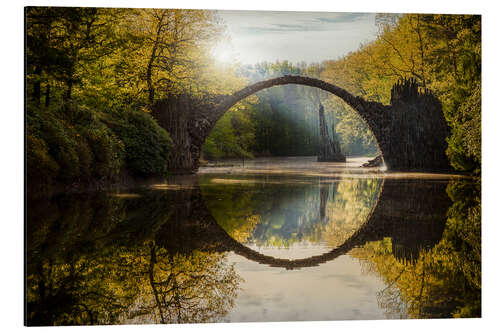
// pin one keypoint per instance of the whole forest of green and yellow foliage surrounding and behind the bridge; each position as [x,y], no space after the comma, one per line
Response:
[93,75]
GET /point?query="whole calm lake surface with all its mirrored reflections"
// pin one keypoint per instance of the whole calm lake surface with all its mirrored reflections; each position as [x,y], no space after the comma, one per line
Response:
[276,239]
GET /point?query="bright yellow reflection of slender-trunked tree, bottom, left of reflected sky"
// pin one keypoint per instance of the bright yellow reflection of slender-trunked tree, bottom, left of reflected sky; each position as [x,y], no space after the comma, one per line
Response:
[197,288]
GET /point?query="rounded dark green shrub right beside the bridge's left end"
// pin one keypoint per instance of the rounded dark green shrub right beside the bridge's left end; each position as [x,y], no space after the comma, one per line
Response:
[147,145]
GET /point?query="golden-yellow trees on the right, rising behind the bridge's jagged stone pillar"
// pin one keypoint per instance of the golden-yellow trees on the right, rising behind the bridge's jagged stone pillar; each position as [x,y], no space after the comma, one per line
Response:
[442,53]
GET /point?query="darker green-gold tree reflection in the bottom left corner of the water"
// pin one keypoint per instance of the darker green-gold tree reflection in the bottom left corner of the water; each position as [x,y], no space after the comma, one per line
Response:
[93,289]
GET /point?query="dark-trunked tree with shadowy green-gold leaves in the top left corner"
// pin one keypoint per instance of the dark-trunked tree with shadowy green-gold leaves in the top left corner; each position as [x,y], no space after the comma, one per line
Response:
[62,43]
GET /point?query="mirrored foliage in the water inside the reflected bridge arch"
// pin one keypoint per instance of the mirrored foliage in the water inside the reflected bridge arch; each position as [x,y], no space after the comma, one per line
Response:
[281,215]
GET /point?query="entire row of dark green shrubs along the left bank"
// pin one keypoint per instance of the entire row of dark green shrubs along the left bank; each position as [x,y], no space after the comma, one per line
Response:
[72,144]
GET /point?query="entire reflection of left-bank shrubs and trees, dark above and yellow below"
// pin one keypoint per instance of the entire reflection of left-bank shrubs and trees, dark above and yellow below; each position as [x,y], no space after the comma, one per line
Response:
[90,262]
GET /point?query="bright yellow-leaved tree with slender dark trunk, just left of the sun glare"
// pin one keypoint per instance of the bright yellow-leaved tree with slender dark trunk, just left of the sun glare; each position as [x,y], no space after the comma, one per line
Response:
[168,48]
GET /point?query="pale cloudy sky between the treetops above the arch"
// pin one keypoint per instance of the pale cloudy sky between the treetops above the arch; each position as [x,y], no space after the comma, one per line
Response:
[255,36]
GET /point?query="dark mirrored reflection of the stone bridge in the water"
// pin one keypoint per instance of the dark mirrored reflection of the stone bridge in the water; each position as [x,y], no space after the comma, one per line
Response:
[410,212]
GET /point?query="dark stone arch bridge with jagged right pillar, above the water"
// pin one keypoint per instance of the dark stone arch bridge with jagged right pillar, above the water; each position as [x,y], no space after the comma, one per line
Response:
[410,132]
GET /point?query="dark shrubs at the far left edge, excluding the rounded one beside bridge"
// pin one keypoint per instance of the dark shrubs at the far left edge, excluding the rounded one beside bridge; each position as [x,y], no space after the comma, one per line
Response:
[70,144]
